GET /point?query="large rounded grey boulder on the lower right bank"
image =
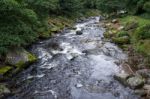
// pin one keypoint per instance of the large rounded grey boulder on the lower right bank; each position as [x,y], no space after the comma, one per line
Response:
[135,82]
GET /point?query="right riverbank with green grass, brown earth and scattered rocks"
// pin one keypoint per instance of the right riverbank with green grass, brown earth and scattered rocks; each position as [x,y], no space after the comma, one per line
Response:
[131,33]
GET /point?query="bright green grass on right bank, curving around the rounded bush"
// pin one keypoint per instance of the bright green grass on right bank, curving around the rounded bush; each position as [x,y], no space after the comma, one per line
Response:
[140,45]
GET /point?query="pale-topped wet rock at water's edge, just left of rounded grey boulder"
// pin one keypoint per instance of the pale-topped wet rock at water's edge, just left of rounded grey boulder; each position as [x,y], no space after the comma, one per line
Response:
[122,77]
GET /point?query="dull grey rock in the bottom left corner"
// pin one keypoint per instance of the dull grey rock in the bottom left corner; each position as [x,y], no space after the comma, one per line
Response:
[4,90]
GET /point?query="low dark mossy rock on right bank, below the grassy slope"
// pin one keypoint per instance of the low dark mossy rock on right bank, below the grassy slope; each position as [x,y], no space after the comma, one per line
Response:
[121,40]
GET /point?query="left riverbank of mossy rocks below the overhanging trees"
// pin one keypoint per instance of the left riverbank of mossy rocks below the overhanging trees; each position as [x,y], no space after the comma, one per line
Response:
[19,59]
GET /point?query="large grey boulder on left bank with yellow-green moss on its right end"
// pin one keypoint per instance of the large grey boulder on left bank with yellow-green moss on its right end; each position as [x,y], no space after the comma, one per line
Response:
[20,58]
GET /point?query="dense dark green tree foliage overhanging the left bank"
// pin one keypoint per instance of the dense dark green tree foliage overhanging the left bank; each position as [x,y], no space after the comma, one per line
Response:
[20,20]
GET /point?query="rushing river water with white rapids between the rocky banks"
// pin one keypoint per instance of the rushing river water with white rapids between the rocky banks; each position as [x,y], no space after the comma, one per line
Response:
[74,66]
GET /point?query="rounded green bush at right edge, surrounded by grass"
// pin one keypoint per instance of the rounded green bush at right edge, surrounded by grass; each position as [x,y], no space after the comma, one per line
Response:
[143,32]
